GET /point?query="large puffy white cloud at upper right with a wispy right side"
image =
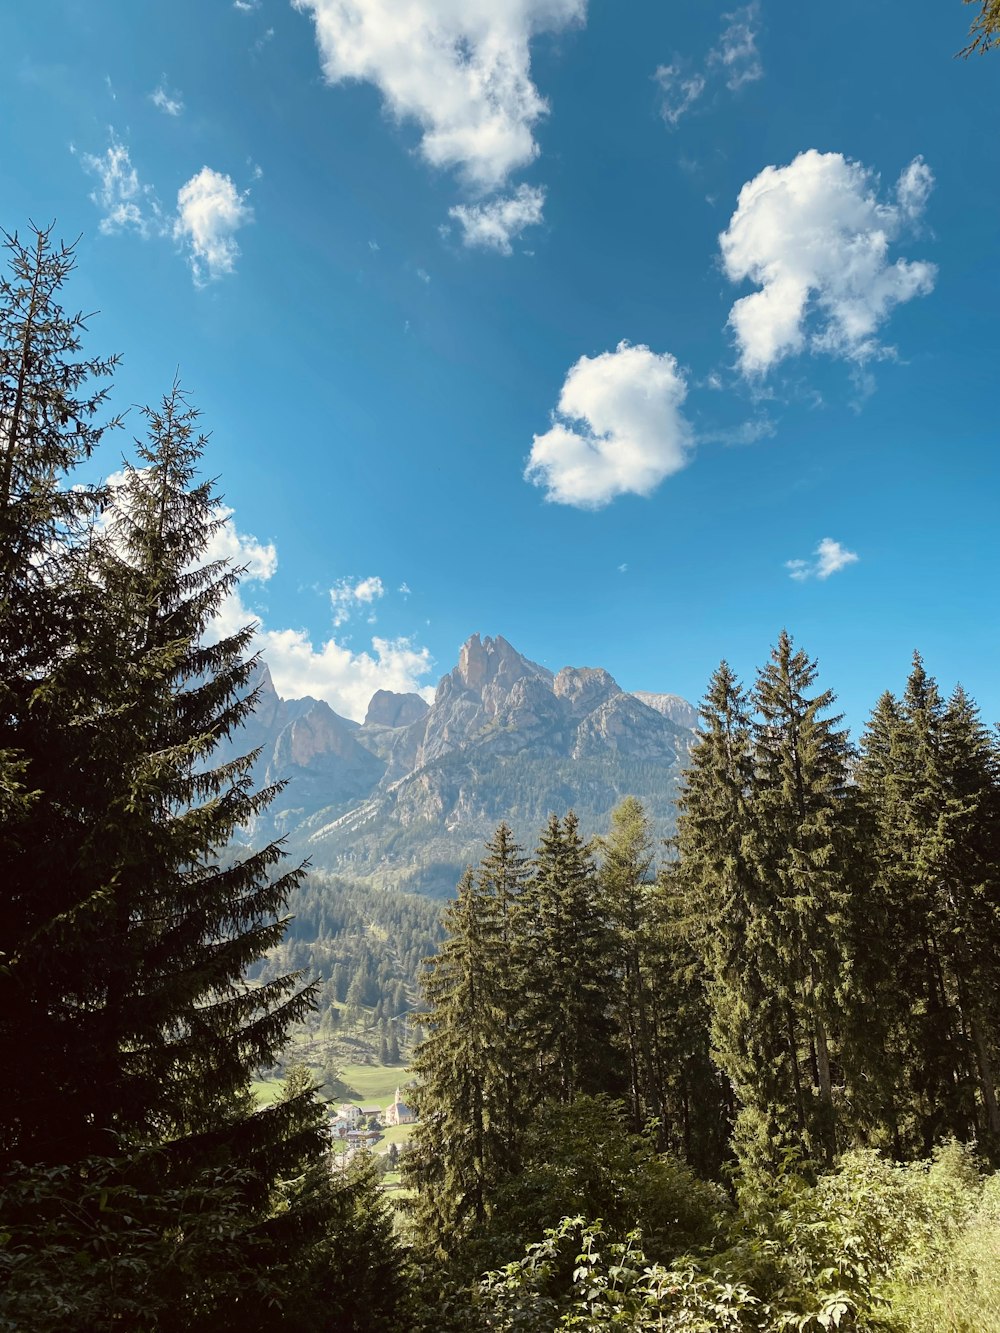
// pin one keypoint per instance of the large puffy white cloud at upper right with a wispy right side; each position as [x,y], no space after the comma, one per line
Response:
[815,238]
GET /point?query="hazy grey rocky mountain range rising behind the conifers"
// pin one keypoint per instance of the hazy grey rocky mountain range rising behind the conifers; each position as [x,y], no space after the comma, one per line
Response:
[409,798]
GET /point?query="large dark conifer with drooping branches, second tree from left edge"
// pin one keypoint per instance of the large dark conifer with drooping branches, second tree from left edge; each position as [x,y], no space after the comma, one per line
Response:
[149,980]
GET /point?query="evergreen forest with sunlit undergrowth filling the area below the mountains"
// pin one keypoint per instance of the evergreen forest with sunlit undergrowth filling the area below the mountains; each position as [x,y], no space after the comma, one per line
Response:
[743,1080]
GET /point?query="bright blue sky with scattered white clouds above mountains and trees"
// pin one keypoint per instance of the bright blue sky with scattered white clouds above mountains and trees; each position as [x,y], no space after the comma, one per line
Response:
[631,333]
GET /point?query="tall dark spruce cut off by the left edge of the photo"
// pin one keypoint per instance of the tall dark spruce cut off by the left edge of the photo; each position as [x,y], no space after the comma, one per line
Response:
[50,423]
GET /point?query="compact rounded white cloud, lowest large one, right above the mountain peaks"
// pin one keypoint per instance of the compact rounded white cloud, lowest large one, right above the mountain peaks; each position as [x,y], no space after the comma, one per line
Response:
[618,430]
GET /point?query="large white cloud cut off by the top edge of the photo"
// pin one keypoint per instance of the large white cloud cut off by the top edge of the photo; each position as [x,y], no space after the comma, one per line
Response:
[459,69]
